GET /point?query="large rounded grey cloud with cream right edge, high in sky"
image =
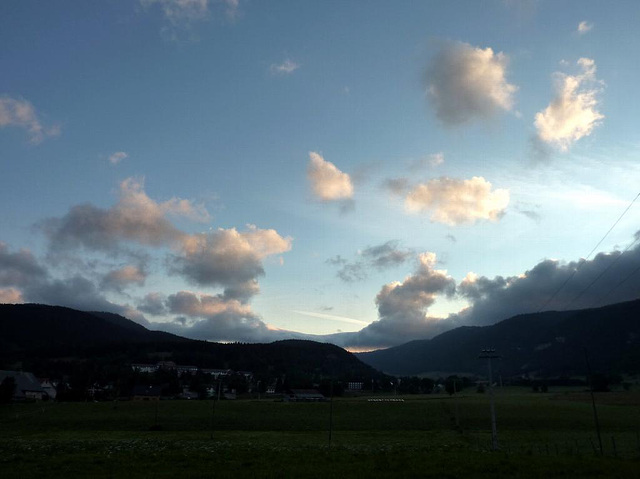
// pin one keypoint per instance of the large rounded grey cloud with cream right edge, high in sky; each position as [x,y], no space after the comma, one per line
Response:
[468,83]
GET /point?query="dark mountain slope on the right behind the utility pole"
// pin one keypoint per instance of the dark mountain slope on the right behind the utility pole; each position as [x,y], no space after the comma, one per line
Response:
[550,343]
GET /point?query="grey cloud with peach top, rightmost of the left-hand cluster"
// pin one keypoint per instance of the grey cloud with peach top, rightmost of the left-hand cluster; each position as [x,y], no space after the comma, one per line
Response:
[228,258]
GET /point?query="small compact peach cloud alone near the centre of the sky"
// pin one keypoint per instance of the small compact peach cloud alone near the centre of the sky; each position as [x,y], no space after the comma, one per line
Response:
[328,183]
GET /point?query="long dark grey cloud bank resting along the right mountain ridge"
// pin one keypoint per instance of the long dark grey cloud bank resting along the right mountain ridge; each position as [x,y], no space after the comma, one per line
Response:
[609,274]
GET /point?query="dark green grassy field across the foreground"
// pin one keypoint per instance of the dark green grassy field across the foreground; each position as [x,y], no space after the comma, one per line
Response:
[540,435]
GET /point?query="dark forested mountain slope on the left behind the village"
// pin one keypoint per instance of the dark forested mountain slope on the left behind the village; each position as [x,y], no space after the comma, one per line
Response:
[52,337]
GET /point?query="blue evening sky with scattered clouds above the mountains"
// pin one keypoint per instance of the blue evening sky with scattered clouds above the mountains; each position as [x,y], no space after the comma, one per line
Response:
[365,173]
